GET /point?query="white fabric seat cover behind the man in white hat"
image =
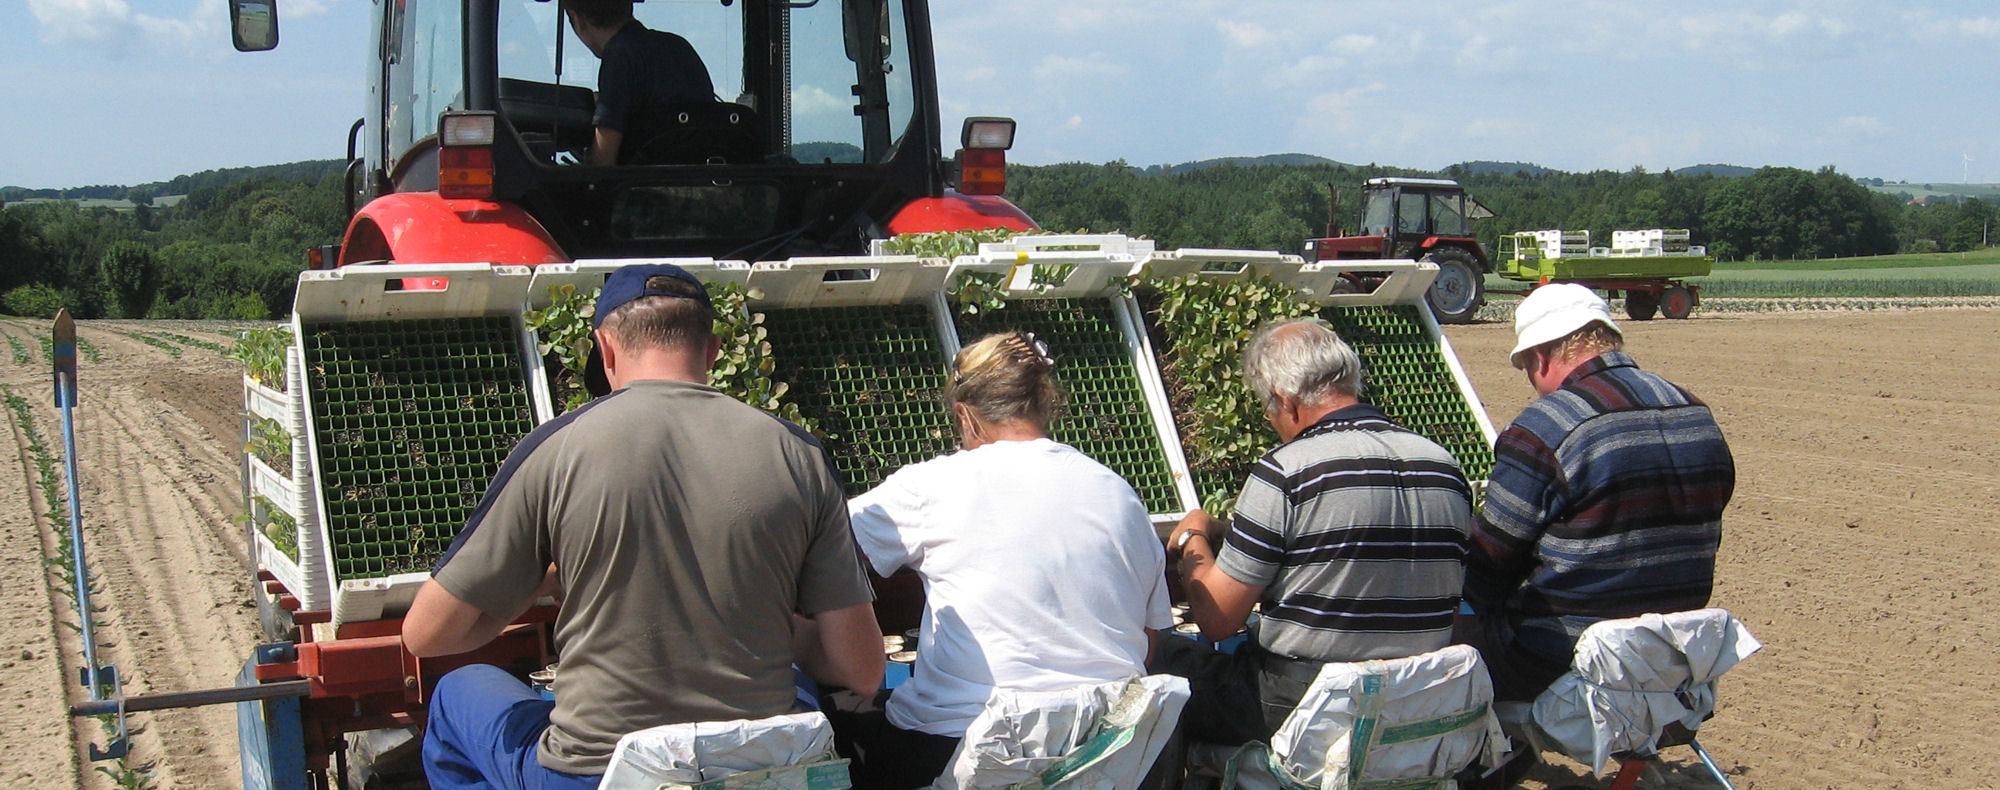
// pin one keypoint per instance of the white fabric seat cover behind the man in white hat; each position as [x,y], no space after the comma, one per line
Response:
[1635,677]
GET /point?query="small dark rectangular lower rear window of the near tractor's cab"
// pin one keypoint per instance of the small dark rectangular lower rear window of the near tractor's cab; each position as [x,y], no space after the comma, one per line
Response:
[667,213]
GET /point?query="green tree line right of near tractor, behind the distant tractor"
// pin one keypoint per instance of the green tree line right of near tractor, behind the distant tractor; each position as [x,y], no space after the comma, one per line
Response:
[1769,215]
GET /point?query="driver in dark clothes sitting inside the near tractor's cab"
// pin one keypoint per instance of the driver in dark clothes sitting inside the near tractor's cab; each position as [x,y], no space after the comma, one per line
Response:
[641,71]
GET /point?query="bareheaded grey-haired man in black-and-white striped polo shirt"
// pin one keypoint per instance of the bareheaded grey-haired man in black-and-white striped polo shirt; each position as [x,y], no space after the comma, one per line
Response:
[1351,535]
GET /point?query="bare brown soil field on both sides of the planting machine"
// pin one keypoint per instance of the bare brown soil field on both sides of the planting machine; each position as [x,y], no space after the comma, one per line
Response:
[1861,547]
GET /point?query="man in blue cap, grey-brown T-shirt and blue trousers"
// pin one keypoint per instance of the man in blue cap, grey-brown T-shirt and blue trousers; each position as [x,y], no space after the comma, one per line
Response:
[701,549]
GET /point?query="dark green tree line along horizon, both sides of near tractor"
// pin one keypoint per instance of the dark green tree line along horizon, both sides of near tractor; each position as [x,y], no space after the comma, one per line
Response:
[235,247]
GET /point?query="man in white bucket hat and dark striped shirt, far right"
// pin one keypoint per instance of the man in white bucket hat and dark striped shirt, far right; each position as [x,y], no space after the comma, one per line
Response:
[1605,499]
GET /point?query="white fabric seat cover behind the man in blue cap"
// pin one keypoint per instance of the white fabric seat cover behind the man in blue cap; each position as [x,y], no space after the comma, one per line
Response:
[781,753]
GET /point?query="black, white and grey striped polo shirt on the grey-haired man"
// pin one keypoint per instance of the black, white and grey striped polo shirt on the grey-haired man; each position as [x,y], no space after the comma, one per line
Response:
[1357,535]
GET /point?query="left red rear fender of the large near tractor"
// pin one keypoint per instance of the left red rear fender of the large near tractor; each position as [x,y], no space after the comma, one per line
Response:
[425,229]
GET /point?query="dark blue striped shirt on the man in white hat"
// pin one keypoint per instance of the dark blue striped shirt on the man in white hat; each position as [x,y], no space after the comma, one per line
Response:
[1605,503]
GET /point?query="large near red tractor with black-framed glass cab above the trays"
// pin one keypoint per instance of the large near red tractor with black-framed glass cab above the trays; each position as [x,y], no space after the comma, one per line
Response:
[821,135]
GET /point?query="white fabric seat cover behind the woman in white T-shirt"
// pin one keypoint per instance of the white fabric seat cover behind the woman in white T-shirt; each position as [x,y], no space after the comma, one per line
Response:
[1101,737]
